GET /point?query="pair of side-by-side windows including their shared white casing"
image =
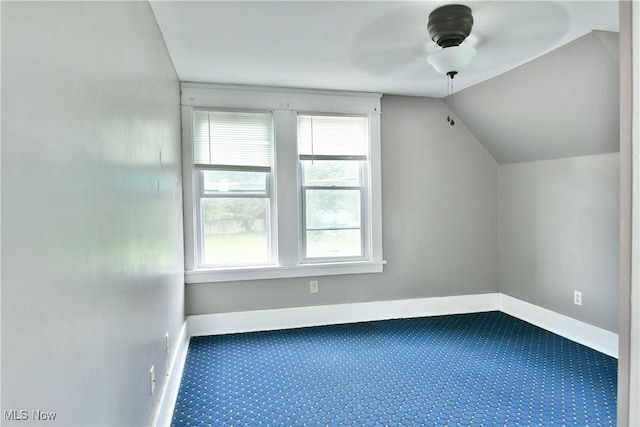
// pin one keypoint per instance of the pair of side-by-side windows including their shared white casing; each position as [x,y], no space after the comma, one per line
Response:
[280,183]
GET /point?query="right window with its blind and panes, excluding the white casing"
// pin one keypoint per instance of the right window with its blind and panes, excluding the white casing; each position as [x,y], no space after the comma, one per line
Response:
[333,163]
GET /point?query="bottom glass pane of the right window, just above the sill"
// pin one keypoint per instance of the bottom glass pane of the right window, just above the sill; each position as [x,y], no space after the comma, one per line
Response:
[334,243]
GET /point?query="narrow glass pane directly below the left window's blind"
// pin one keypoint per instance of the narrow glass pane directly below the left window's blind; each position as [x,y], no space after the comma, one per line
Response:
[234,182]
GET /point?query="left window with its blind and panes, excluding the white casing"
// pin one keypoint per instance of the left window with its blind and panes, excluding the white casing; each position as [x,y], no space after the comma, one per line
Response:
[232,159]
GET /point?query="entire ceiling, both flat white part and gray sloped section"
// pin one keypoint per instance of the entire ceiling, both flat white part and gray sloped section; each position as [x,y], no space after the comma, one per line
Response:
[543,84]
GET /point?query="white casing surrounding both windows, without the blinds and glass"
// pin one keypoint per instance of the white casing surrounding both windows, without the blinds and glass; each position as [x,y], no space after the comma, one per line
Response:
[286,196]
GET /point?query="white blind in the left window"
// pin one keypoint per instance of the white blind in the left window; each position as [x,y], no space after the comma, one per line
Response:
[232,140]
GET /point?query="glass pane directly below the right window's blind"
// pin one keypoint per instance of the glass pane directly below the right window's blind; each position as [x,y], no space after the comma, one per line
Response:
[323,173]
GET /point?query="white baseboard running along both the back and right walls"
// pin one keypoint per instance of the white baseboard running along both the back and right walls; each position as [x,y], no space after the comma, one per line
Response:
[298,317]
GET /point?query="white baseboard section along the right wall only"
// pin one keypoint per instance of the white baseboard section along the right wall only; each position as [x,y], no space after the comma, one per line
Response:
[575,330]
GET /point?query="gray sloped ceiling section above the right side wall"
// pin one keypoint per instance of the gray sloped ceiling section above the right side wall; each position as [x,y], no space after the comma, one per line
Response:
[563,104]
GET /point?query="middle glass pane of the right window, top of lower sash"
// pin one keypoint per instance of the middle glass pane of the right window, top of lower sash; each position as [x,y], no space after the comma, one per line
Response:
[332,209]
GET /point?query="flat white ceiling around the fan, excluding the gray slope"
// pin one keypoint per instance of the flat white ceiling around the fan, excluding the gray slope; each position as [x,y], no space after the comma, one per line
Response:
[372,46]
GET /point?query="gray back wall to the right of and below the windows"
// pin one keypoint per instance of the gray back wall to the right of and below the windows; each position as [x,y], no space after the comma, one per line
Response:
[439,207]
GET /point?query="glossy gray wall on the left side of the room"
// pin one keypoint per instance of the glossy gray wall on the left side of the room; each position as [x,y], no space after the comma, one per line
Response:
[92,259]
